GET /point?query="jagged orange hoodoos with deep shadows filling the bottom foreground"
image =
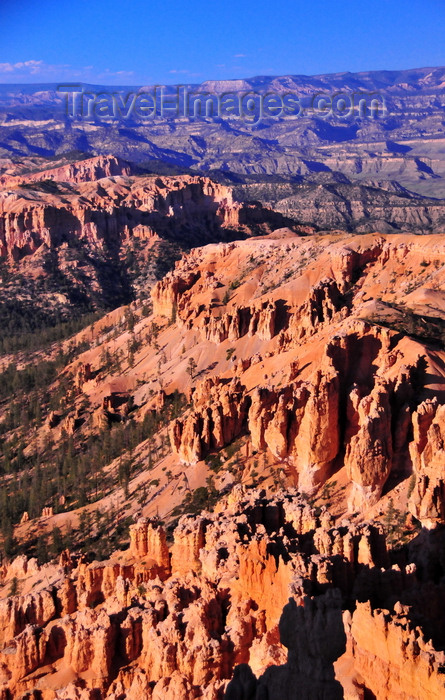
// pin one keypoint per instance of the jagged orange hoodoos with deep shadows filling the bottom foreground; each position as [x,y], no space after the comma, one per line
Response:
[250,596]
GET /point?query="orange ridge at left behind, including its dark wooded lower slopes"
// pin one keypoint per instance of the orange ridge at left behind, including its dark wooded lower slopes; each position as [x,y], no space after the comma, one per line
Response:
[97,232]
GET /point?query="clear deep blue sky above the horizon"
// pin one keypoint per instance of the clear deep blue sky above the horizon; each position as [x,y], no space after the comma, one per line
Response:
[145,42]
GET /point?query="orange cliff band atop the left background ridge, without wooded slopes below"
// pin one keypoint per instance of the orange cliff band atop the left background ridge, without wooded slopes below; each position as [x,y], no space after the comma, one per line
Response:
[96,202]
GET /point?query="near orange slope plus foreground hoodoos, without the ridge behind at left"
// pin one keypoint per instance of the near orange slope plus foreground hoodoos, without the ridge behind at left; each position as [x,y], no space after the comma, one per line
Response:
[285,520]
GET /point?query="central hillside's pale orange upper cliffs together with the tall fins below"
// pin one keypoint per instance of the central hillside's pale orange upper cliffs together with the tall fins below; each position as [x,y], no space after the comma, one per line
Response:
[337,385]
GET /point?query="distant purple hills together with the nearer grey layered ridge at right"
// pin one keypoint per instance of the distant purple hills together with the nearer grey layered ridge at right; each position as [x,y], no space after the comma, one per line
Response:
[323,167]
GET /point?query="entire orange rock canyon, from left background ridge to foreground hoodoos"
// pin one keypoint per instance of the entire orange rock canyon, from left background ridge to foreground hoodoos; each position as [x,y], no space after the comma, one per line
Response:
[230,484]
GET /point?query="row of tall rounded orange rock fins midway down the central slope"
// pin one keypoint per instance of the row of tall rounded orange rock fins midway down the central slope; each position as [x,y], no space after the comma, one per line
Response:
[303,423]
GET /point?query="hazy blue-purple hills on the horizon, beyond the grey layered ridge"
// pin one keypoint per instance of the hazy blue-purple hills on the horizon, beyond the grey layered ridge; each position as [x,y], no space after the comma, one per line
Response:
[406,143]
